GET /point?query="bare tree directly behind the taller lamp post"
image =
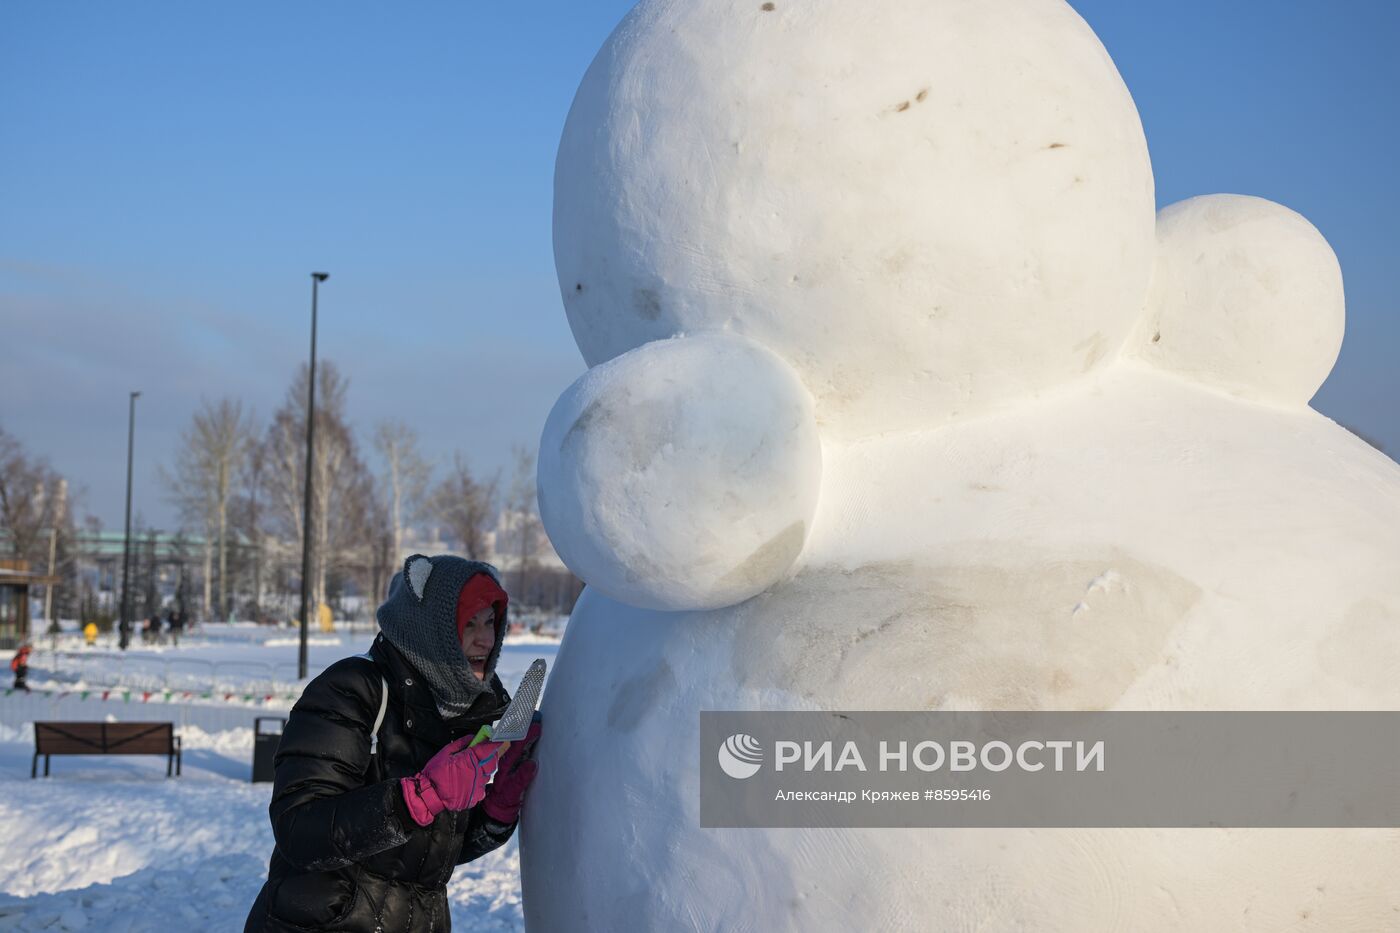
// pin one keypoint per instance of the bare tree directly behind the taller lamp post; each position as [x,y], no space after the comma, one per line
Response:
[339,502]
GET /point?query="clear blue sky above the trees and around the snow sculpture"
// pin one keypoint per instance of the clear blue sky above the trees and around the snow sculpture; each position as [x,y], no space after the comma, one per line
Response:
[171,173]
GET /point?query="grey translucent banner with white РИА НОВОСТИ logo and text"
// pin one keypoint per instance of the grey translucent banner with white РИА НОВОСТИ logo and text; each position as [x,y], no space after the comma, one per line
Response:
[1049,770]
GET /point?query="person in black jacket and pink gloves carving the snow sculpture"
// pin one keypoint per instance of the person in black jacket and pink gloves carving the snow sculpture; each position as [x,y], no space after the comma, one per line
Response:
[370,819]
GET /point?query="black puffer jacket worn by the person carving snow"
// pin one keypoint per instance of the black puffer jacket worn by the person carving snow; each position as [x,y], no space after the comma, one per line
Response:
[349,857]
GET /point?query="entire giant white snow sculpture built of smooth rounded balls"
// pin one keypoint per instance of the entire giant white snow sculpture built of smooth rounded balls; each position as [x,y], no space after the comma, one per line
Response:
[1055,453]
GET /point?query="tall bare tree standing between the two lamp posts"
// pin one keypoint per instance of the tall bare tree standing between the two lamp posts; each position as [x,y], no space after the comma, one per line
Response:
[212,455]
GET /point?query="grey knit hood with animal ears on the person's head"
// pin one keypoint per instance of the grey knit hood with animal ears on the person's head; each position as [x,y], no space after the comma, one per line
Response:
[419,618]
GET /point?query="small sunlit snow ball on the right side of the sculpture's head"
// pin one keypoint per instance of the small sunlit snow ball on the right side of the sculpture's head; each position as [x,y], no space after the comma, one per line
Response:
[1247,296]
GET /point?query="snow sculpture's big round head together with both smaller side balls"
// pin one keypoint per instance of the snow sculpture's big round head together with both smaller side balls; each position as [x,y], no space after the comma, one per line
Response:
[789,225]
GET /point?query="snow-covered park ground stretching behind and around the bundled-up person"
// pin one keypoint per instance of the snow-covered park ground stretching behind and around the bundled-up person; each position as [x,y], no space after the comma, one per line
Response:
[111,844]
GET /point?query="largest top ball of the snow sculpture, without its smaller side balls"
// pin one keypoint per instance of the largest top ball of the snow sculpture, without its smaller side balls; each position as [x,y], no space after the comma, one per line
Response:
[925,207]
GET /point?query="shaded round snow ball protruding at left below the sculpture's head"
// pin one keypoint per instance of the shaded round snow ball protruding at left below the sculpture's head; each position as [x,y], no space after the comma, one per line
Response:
[682,474]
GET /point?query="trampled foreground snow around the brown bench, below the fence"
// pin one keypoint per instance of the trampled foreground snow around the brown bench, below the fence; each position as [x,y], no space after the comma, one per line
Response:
[111,844]
